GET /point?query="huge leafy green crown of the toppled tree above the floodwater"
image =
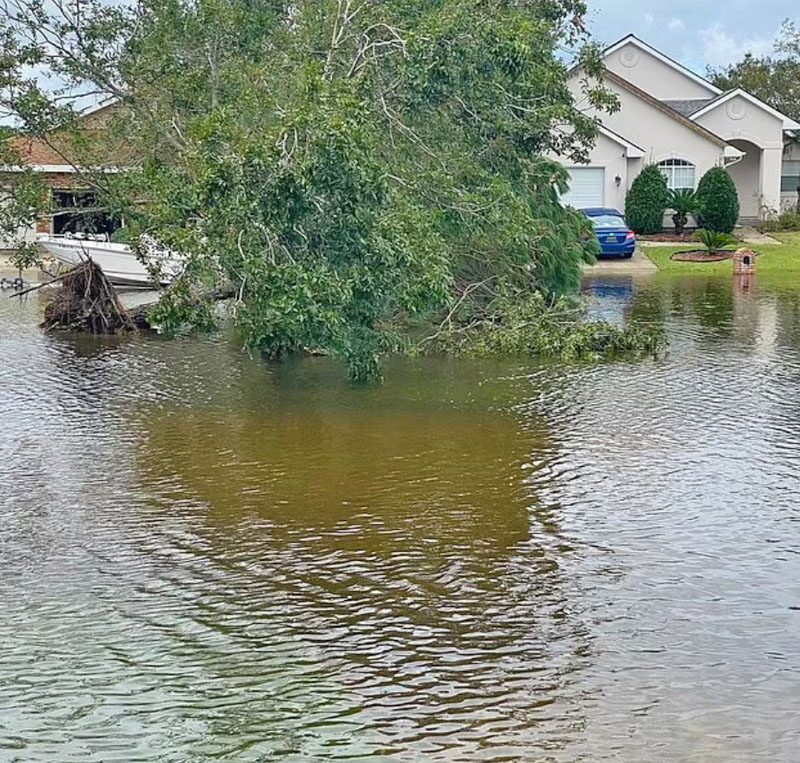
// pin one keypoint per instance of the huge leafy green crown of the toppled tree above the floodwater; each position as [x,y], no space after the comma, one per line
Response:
[350,168]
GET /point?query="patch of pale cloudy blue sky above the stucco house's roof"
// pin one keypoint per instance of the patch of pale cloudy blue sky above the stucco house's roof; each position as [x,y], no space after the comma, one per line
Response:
[696,33]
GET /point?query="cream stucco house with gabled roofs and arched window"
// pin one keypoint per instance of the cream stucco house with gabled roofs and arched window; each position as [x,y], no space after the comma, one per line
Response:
[676,119]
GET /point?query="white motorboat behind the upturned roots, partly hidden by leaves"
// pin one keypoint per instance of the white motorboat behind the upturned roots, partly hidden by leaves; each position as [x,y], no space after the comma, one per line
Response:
[118,262]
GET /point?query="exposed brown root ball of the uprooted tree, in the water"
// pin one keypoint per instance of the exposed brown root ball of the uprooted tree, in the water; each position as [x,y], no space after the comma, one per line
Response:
[86,301]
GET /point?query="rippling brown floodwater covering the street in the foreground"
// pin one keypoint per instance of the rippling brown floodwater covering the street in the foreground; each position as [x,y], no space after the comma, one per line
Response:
[206,557]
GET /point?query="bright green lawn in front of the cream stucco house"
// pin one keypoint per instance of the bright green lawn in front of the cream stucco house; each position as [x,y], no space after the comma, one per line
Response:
[777,266]
